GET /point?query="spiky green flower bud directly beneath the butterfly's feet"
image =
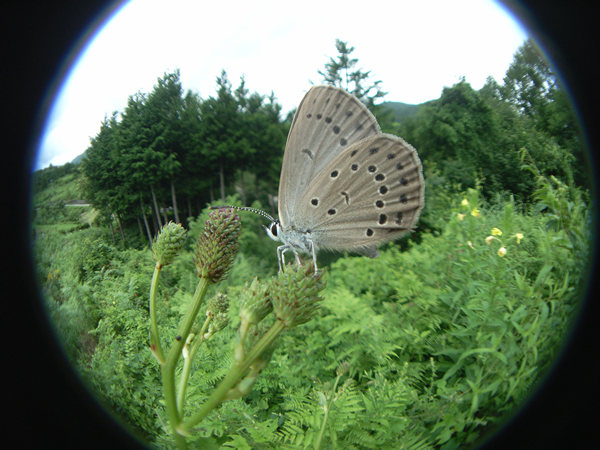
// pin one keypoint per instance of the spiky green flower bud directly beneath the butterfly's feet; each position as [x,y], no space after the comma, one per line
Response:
[295,294]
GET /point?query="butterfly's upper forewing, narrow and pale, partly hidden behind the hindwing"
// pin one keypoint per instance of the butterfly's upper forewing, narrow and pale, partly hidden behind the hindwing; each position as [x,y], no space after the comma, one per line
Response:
[327,122]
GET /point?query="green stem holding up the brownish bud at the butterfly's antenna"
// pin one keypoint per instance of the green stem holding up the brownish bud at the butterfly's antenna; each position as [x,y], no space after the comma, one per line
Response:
[168,369]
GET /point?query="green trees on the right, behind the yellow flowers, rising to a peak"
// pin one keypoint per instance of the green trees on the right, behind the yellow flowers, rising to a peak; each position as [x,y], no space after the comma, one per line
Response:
[474,137]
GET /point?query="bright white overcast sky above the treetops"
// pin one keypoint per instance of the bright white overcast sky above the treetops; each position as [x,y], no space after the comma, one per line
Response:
[415,47]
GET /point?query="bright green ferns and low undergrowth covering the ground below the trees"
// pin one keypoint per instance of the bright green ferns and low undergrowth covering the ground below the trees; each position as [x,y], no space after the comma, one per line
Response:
[441,340]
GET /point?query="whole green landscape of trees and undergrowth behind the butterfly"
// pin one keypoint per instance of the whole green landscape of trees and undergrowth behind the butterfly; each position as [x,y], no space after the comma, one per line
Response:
[431,345]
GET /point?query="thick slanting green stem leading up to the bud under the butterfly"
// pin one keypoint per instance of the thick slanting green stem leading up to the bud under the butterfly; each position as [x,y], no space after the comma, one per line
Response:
[232,378]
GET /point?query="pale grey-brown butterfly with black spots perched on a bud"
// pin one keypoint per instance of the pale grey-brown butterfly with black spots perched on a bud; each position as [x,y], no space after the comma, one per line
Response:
[344,184]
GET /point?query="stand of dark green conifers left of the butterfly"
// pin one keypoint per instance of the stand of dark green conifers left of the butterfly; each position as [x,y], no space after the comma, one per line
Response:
[167,149]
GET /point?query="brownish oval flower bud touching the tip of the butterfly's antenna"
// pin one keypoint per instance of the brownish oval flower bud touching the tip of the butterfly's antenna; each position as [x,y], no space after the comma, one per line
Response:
[217,245]
